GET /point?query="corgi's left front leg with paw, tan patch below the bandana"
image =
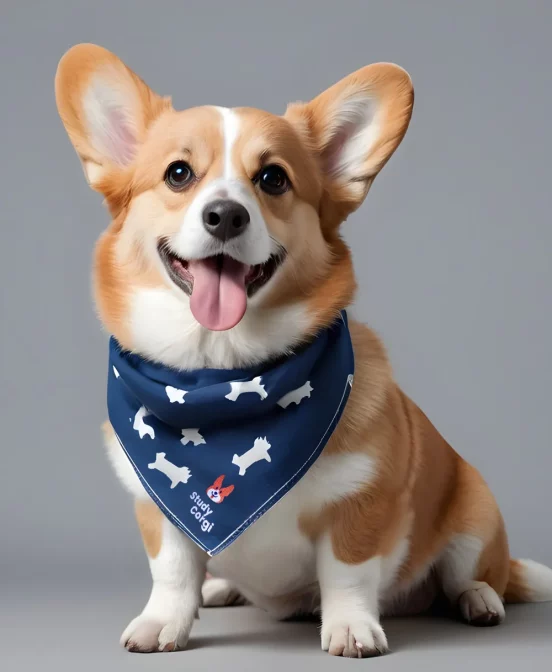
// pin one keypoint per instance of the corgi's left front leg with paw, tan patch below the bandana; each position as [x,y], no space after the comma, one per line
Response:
[177,569]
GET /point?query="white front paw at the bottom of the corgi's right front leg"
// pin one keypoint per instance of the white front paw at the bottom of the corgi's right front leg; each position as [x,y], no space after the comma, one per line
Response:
[358,638]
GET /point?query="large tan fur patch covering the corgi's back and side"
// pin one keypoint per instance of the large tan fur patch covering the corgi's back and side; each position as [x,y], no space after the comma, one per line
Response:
[424,489]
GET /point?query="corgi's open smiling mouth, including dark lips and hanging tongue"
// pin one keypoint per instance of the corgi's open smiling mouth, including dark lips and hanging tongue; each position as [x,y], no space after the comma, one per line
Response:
[218,286]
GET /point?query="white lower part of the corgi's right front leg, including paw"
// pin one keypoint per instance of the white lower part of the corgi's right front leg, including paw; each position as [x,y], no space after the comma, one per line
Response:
[349,600]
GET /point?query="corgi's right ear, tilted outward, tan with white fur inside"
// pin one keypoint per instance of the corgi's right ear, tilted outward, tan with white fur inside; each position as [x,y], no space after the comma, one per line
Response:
[354,127]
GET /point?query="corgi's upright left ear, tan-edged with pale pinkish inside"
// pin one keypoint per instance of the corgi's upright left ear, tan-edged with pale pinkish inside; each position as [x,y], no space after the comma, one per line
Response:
[105,108]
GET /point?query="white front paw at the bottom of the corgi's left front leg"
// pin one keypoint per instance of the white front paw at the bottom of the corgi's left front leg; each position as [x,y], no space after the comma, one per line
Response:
[146,634]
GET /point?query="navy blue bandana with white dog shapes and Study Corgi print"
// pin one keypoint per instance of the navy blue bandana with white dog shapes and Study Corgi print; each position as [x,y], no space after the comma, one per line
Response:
[216,449]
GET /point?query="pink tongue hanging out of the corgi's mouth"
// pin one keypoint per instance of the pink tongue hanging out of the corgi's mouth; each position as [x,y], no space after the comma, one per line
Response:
[218,299]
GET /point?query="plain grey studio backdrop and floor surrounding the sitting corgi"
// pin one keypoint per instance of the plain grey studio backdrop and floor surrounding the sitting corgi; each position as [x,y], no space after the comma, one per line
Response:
[453,260]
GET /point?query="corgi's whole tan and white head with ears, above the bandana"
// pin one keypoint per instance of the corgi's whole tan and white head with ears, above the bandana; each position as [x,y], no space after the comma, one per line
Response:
[224,247]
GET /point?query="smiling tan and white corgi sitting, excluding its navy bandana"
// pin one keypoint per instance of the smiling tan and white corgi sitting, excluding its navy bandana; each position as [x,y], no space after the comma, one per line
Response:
[225,251]
